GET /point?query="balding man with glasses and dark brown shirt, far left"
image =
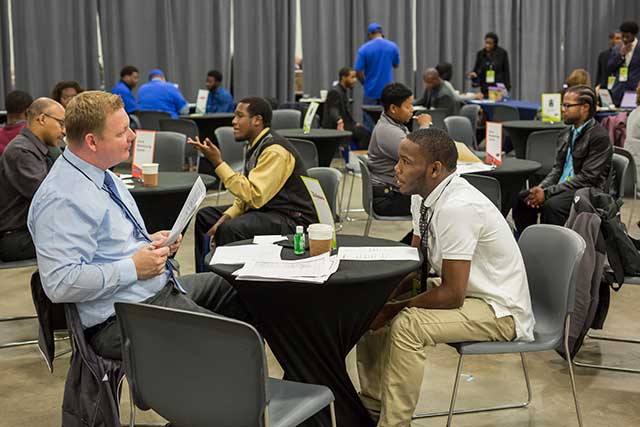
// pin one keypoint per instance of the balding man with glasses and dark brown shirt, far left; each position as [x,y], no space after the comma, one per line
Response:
[23,166]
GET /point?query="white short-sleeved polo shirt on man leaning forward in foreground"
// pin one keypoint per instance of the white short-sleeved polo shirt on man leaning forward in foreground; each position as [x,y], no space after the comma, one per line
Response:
[465,225]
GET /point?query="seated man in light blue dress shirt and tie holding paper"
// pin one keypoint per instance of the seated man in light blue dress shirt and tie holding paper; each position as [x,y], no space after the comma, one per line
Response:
[91,243]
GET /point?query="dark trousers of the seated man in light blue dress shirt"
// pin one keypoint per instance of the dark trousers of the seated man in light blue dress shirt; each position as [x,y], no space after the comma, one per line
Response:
[206,293]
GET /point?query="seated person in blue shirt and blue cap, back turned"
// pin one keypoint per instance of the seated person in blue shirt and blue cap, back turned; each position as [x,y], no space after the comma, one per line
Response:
[160,95]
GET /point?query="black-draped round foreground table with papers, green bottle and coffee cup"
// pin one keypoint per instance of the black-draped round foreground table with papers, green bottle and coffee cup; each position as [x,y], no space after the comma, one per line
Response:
[311,328]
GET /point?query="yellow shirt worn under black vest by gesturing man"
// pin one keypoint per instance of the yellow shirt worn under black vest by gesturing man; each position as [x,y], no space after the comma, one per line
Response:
[274,167]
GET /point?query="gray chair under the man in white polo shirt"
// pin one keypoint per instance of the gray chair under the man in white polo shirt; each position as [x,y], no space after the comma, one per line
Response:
[551,255]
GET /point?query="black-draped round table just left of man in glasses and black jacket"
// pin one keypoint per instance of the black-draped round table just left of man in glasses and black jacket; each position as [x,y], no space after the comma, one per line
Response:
[512,175]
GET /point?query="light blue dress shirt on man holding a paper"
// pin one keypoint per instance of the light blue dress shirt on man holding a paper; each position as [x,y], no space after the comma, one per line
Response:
[85,243]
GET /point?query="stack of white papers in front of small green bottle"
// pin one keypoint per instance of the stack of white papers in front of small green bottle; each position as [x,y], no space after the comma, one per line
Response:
[308,270]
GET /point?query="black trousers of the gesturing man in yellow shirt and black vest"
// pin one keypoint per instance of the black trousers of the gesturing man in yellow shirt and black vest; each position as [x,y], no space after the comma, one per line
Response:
[246,226]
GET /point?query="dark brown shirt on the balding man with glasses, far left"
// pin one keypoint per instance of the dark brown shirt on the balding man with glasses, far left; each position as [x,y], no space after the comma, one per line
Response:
[23,166]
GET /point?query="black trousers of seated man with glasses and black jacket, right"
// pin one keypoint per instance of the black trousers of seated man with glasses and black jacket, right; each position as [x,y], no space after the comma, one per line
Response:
[555,210]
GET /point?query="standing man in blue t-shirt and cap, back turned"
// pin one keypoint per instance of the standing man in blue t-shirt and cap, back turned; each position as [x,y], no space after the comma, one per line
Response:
[374,66]
